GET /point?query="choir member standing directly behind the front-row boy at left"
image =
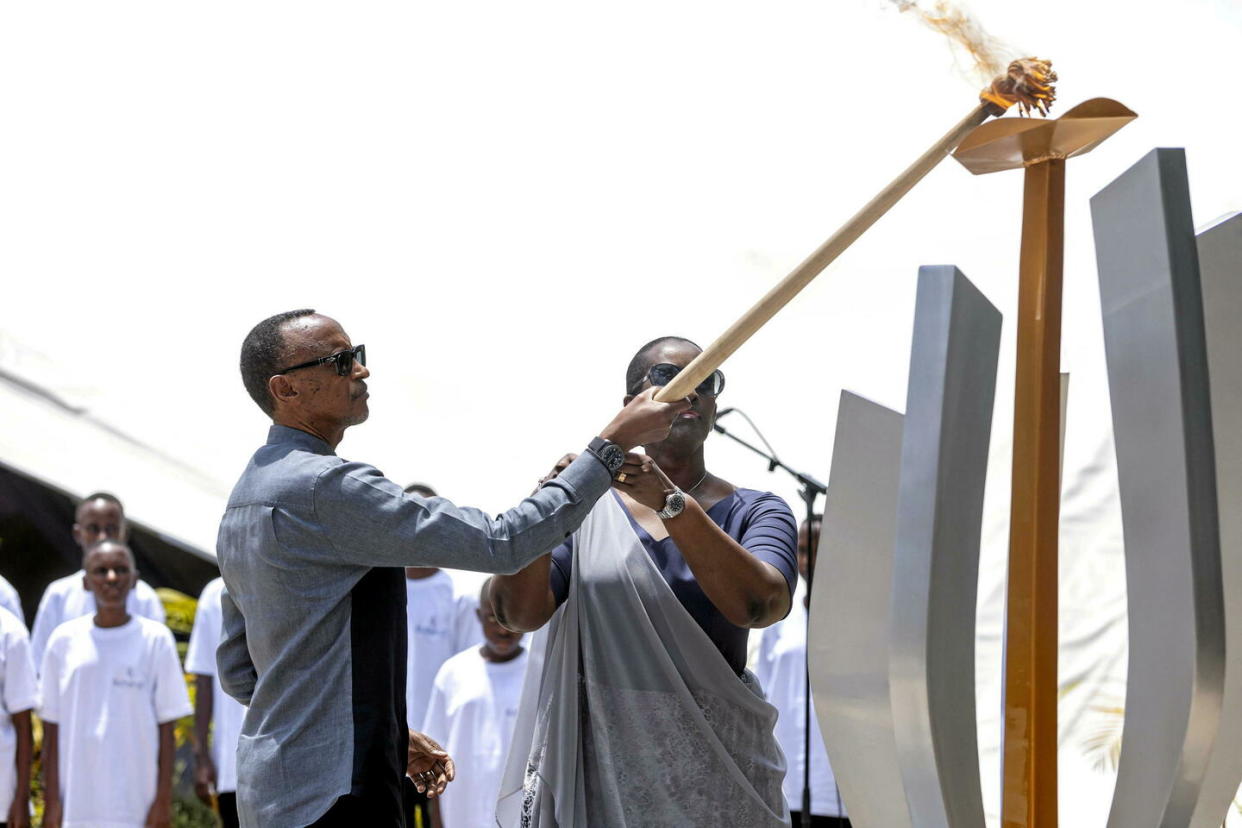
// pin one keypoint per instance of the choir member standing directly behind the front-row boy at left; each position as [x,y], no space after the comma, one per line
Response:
[100,517]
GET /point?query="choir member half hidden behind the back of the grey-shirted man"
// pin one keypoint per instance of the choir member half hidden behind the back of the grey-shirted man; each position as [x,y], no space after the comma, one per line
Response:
[217,714]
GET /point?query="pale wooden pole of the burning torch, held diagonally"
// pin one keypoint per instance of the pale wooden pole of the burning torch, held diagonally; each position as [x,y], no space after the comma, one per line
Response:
[758,316]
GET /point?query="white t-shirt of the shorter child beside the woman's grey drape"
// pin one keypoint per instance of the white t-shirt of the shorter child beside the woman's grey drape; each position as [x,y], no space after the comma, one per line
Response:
[473,712]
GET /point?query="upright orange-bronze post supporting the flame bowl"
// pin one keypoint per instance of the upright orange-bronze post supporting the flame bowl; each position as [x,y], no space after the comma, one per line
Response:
[1030,762]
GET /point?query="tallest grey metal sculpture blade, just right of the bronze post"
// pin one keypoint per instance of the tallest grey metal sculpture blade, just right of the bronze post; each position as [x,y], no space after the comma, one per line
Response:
[1166,461]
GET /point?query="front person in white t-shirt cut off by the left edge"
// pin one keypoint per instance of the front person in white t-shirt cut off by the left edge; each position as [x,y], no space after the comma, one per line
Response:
[19,696]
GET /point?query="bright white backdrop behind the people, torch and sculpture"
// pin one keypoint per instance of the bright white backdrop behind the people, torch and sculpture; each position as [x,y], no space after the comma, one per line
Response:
[504,200]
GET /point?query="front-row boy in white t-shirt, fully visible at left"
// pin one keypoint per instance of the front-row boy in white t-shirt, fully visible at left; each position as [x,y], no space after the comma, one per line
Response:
[112,691]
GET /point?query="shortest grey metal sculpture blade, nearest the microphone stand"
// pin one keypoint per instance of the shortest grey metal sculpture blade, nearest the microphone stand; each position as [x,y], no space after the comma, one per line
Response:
[849,645]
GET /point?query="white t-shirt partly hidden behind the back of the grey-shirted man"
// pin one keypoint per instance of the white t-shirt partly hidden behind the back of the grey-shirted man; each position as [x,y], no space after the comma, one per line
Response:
[227,712]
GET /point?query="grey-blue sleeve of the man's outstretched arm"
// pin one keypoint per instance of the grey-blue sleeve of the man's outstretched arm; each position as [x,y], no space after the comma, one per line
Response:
[372,522]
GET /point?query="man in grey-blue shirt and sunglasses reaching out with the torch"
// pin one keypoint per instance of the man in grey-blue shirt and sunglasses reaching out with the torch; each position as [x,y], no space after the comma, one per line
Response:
[311,548]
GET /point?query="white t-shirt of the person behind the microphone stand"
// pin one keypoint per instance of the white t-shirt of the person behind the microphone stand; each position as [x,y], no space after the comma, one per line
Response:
[782,671]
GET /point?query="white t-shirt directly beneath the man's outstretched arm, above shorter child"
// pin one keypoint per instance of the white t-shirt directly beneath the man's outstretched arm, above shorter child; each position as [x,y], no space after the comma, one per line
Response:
[442,621]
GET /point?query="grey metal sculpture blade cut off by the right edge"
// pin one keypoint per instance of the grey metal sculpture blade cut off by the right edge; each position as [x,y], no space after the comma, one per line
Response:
[1220,269]
